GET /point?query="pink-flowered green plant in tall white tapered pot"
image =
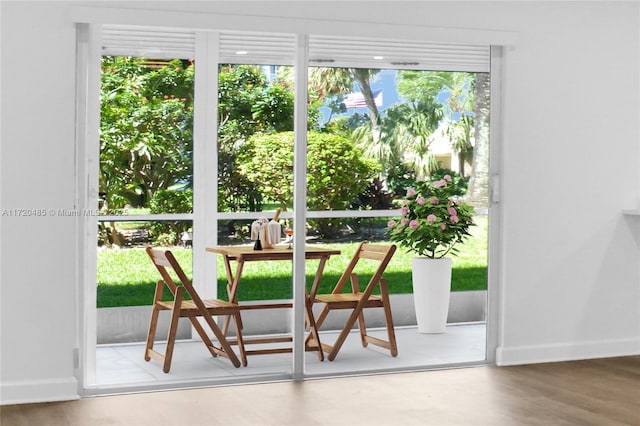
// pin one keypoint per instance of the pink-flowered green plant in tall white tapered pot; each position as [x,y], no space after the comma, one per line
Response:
[433,220]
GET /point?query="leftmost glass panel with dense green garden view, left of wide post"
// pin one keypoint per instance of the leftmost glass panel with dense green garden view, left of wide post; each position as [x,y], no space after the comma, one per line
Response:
[146,168]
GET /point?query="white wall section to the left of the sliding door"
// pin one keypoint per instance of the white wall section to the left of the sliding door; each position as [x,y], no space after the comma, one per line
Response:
[38,262]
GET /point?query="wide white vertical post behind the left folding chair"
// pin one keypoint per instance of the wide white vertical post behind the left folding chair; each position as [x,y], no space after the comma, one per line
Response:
[205,163]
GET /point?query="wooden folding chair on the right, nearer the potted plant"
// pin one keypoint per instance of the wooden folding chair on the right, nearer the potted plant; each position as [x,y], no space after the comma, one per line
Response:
[357,300]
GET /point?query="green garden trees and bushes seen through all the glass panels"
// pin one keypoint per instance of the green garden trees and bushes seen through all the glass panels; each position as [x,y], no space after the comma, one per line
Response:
[147,149]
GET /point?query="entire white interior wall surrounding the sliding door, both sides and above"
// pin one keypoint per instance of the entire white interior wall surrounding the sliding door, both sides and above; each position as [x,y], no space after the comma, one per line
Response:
[570,275]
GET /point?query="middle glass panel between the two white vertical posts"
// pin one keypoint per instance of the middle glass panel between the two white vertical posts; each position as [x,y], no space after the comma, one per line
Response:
[255,174]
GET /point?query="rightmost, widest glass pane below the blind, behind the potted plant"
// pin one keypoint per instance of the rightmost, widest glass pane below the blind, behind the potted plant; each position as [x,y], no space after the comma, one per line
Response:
[380,133]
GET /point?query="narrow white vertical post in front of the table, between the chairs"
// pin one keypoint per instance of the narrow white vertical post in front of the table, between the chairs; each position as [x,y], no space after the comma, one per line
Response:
[299,203]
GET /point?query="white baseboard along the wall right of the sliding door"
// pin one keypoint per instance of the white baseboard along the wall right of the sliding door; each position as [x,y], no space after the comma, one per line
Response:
[535,354]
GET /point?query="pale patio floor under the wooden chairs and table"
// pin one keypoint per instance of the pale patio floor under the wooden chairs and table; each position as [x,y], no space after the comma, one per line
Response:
[122,365]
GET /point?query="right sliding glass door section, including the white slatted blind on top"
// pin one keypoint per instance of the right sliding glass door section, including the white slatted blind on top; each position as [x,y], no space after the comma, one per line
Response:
[388,116]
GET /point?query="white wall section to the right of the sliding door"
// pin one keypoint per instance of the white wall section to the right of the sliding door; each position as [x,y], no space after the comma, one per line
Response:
[571,285]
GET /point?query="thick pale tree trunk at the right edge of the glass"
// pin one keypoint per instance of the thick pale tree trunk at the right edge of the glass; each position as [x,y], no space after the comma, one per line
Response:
[478,190]
